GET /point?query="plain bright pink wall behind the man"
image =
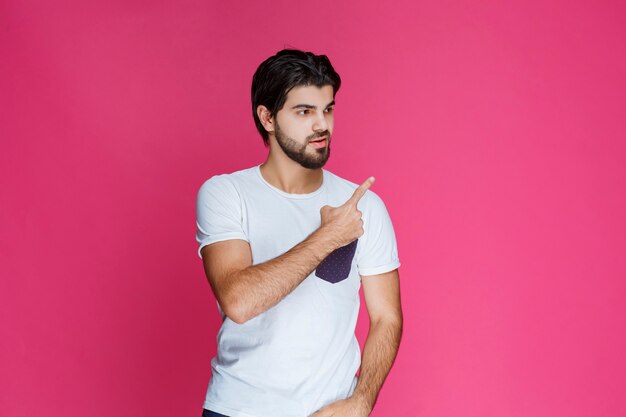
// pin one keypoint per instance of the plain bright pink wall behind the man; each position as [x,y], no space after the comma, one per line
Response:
[497,133]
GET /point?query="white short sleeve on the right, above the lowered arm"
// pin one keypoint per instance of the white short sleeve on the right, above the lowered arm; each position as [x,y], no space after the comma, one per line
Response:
[378,252]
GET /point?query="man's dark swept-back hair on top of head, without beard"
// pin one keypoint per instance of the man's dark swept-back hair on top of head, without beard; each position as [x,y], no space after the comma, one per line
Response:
[278,74]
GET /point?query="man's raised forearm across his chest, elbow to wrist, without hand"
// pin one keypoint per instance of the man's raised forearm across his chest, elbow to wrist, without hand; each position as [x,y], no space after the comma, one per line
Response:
[257,288]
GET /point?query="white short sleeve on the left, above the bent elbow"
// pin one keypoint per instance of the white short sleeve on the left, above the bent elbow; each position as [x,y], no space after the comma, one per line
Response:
[218,213]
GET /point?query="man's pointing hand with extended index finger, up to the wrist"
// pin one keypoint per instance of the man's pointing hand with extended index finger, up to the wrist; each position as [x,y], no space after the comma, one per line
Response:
[343,224]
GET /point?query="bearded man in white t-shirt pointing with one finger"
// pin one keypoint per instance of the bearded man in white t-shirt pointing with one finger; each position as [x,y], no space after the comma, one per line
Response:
[286,246]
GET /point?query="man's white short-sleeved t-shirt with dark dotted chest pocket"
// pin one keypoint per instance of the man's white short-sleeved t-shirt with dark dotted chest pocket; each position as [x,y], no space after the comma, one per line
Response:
[302,353]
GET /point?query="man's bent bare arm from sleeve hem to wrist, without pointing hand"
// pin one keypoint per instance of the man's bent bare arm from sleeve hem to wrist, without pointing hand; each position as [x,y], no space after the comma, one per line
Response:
[244,290]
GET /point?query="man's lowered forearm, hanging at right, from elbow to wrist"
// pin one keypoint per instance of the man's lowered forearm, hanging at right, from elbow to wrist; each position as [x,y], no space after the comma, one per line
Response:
[379,353]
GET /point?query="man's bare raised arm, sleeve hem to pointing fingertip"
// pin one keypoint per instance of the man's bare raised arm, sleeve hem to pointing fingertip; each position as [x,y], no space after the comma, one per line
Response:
[244,290]
